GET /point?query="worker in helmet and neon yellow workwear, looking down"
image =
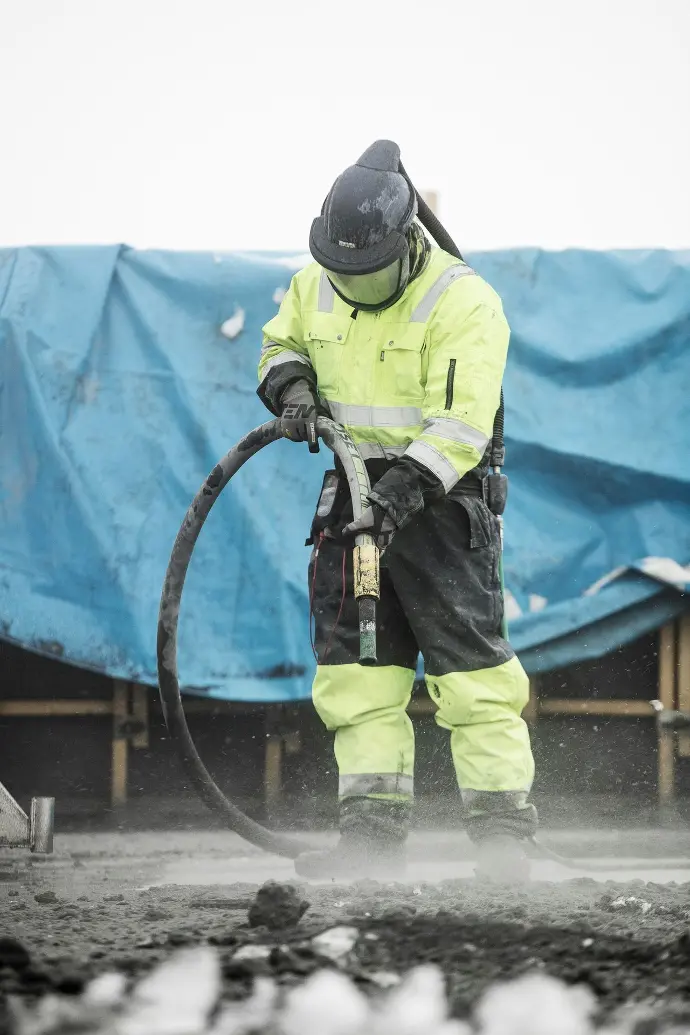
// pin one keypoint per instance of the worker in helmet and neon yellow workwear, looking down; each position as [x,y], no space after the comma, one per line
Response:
[405,346]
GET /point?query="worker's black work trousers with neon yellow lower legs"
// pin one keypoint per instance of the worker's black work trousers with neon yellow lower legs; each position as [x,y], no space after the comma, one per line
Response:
[441,597]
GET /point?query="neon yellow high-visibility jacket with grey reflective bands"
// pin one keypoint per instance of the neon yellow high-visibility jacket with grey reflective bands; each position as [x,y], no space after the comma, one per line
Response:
[423,378]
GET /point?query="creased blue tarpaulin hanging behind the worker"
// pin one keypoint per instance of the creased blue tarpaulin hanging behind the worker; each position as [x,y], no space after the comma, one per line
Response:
[126,375]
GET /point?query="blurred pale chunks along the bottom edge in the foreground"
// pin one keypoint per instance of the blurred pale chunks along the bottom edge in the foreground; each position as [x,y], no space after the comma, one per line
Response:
[184,997]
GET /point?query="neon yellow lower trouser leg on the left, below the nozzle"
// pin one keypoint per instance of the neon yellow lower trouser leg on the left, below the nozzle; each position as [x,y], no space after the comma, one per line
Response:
[375,744]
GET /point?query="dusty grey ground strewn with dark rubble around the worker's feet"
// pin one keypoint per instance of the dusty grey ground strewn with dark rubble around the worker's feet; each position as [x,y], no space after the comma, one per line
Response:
[129,901]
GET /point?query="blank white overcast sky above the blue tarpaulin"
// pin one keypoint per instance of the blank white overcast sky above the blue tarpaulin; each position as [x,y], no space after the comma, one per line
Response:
[221,125]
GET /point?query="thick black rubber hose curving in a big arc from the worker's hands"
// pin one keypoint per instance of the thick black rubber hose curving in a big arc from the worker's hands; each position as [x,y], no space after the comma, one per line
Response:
[338,440]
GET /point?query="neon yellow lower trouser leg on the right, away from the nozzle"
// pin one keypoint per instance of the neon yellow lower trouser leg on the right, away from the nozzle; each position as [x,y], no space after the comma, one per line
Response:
[490,742]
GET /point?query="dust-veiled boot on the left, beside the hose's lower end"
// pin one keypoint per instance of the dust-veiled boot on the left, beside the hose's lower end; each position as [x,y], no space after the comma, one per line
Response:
[373,844]
